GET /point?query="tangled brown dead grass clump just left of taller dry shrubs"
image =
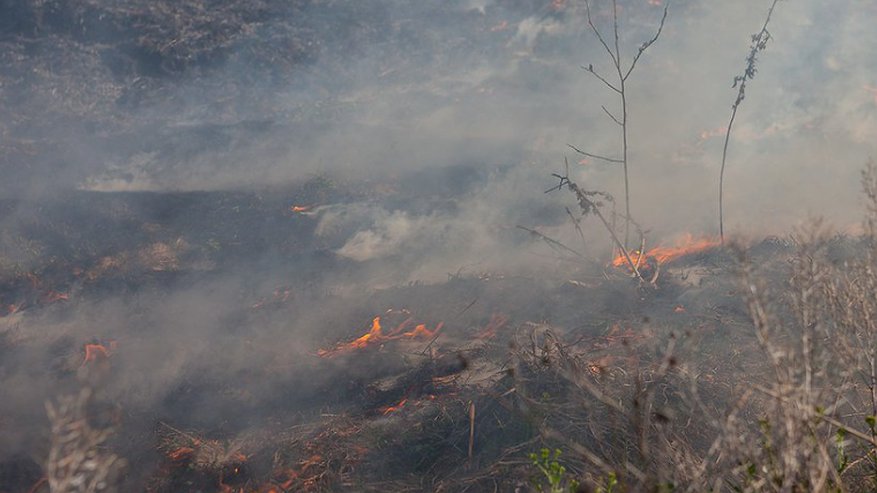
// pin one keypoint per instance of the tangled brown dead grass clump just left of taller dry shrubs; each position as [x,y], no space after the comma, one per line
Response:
[621,417]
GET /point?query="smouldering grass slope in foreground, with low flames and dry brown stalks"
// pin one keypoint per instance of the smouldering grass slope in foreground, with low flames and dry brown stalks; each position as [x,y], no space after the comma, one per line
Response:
[651,387]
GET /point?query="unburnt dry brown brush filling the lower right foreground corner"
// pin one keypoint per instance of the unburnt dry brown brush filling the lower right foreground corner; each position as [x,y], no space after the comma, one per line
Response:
[804,421]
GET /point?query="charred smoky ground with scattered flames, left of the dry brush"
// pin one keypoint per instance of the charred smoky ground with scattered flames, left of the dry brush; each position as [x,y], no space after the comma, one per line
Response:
[135,272]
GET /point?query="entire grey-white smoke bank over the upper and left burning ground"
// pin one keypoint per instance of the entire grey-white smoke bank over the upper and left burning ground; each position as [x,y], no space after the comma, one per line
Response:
[420,136]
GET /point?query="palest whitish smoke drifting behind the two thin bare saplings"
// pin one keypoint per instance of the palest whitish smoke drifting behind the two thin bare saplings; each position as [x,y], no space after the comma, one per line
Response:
[516,87]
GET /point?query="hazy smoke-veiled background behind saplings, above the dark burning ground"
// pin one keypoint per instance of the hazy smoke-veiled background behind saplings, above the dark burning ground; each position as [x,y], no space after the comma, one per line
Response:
[384,87]
